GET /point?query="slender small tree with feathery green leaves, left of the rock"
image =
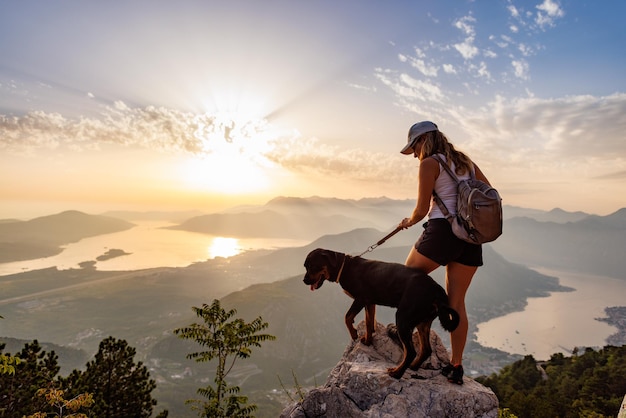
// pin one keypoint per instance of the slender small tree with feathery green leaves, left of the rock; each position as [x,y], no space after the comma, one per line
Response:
[222,339]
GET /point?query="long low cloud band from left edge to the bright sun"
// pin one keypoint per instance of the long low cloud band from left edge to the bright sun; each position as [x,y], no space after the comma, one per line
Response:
[156,128]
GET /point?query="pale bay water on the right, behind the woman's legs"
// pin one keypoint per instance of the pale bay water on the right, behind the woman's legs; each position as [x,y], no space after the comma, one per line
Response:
[560,322]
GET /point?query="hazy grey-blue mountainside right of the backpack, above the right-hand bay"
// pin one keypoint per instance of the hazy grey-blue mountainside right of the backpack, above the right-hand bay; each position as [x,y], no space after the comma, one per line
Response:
[594,244]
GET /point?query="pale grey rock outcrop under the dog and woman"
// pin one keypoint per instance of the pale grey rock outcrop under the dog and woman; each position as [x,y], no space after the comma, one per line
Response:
[359,386]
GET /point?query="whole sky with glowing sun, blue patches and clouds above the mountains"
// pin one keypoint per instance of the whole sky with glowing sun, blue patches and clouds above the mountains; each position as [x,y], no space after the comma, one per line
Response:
[206,105]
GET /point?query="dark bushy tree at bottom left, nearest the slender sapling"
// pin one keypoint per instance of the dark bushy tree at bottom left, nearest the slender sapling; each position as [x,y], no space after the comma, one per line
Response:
[121,388]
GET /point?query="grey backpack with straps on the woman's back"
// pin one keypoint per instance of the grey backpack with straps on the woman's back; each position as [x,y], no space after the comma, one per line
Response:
[479,209]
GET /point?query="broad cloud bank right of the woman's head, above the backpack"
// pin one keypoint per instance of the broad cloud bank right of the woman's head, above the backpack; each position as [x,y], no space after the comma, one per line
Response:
[563,132]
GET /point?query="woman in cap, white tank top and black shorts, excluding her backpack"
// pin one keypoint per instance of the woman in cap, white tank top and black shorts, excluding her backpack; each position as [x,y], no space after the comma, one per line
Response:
[438,246]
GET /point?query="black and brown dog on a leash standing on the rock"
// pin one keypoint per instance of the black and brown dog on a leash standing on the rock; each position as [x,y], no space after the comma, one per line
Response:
[417,296]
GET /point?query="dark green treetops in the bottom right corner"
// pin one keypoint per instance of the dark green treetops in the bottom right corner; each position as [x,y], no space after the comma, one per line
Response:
[590,384]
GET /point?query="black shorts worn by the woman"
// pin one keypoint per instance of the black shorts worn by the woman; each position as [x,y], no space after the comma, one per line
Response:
[439,243]
